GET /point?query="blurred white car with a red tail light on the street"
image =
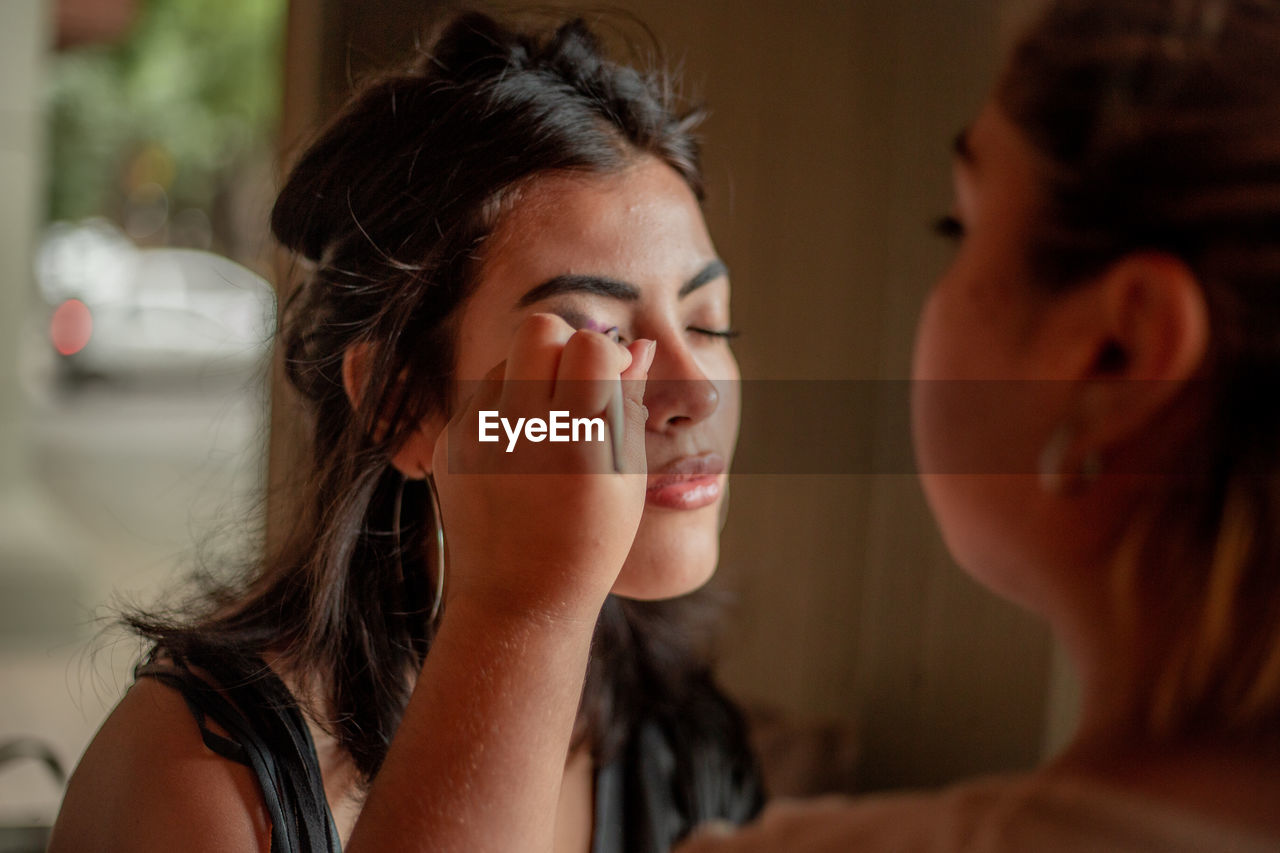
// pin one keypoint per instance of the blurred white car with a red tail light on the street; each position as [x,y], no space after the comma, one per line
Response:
[117,311]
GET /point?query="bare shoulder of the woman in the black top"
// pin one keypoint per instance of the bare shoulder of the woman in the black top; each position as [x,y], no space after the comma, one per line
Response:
[149,783]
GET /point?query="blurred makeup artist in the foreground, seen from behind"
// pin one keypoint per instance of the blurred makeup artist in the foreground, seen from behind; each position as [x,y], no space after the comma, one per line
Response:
[1114,298]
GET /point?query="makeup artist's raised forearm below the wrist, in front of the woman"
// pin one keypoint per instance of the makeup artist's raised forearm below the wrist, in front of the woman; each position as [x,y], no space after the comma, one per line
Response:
[481,754]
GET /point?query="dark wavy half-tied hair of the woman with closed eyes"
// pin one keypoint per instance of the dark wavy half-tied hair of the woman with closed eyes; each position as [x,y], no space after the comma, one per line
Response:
[388,213]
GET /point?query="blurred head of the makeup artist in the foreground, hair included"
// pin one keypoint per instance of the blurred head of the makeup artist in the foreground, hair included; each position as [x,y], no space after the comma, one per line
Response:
[1119,276]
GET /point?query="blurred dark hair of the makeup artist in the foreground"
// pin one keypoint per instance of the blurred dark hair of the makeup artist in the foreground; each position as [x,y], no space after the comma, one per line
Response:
[1159,127]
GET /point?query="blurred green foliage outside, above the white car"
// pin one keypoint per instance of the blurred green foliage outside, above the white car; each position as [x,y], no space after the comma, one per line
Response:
[193,90]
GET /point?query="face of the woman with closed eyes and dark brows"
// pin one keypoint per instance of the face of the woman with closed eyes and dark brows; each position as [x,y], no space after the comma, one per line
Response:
[632,252]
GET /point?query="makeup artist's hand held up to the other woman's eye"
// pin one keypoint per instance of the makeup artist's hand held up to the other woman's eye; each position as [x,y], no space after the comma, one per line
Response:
[545,528]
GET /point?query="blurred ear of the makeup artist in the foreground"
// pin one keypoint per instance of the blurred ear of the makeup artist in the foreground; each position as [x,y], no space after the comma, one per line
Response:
[1151,339]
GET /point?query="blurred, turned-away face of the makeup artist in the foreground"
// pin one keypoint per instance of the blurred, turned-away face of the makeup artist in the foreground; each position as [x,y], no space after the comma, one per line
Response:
[986,396]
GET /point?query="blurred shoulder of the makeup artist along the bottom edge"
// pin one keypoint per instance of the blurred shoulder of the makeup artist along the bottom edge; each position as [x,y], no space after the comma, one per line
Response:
[991,815]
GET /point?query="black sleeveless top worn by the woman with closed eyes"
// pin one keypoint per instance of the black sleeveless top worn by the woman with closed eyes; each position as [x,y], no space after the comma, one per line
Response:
[639,805]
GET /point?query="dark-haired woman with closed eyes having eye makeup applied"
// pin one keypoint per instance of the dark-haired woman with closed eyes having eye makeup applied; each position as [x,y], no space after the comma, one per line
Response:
[473,211]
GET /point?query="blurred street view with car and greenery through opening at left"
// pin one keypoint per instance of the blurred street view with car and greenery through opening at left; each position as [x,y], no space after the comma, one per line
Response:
[147,350]
